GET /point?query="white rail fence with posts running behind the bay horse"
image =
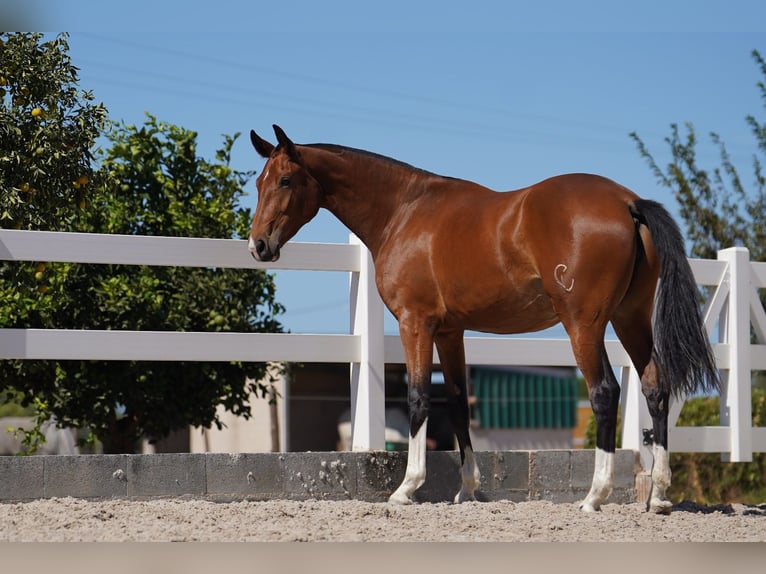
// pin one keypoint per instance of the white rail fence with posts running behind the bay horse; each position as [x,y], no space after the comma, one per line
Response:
[730,312]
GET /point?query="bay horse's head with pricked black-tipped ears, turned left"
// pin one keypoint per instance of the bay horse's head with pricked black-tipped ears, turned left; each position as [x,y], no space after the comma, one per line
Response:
[288,197]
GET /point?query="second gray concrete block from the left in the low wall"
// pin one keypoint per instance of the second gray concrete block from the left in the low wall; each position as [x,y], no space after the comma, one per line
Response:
[86,476]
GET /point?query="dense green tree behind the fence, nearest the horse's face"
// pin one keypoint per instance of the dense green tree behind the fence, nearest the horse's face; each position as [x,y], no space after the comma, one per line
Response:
[159,186]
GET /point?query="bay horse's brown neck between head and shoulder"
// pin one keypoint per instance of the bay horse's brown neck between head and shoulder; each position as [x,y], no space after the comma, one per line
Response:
[364,197]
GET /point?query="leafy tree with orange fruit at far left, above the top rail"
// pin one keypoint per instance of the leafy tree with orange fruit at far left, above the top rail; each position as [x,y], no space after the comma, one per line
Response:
[48,127]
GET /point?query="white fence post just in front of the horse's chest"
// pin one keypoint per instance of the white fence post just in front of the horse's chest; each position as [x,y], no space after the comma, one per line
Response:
[368,412]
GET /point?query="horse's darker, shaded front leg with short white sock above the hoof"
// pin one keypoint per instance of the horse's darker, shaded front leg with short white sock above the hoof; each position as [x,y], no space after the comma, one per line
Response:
[452,358]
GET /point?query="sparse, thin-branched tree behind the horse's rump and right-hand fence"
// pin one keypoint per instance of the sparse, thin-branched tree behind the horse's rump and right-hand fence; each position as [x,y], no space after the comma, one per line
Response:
[719,209]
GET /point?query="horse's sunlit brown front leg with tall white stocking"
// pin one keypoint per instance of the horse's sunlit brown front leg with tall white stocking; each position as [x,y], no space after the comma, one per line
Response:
[418,341]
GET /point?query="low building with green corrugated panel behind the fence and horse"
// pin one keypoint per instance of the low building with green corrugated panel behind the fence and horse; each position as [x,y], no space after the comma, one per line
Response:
[511,409]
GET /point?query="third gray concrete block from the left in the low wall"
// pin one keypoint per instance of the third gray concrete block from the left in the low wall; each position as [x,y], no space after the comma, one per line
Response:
[166,475]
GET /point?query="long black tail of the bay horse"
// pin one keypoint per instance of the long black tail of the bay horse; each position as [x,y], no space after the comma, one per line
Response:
[681,347]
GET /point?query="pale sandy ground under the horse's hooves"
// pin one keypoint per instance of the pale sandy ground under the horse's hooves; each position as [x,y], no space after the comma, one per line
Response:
[69,519]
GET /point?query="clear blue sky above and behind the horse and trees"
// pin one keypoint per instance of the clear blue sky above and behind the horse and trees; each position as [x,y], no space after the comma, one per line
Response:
[502,93]
